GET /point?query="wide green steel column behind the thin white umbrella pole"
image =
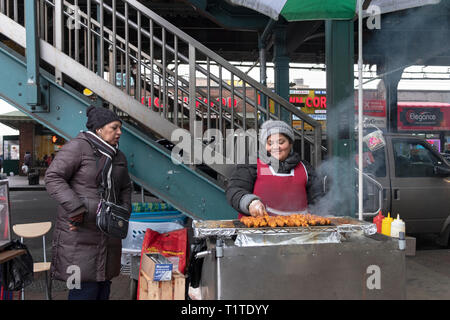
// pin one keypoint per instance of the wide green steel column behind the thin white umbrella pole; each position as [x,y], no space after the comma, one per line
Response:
[341,115]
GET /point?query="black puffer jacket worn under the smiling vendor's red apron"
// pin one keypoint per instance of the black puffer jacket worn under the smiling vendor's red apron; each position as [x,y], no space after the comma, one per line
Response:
[239,191]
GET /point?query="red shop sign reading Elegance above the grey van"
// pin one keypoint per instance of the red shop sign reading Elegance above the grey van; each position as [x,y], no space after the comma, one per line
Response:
[423,116]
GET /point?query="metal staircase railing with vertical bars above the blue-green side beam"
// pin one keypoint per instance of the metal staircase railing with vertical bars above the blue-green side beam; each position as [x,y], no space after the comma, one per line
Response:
[163,68]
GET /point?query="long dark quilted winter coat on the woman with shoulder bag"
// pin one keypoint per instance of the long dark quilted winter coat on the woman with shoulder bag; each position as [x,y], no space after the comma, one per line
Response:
[70,180]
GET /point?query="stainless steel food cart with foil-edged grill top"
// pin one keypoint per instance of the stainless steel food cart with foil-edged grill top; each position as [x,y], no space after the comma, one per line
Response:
[344,260]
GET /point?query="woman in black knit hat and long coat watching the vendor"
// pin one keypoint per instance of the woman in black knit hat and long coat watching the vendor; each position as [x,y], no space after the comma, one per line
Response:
[81,253]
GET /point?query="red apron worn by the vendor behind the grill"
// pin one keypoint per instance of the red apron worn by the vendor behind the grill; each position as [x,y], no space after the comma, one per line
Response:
[282,194]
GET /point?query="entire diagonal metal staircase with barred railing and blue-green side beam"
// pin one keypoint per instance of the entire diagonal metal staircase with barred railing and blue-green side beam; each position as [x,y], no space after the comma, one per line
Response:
[163,83]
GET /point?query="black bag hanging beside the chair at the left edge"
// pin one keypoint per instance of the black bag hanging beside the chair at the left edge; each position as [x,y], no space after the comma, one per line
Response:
[17,273]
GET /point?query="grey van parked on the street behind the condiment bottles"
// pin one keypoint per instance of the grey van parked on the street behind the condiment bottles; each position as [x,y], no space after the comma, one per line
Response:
[415,182]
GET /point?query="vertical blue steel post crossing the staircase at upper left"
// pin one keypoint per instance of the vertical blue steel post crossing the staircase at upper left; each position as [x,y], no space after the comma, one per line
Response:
[32,55]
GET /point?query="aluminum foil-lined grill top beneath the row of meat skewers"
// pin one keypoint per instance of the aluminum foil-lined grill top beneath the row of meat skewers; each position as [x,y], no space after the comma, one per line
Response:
[228,228]
